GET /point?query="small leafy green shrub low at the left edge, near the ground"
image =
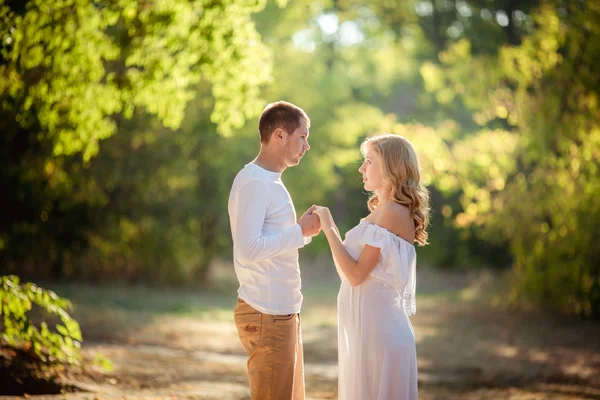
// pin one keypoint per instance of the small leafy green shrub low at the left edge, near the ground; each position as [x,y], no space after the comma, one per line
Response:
[62,345]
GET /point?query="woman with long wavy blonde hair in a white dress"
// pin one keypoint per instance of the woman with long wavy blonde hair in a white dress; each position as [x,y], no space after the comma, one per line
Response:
[376,262]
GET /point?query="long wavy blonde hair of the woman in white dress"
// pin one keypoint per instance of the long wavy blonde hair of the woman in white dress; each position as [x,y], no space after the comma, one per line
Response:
[400,170]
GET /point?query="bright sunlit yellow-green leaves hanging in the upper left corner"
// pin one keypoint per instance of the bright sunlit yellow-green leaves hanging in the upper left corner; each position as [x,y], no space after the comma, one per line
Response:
[70,65]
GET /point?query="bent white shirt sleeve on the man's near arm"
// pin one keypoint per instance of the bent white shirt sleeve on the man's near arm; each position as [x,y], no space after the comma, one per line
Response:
[249,212]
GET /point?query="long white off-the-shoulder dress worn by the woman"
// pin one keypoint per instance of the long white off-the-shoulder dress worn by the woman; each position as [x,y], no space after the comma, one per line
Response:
[376,343]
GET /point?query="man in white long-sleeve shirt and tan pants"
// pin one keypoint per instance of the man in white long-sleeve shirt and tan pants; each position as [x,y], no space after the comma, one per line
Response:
[266,239]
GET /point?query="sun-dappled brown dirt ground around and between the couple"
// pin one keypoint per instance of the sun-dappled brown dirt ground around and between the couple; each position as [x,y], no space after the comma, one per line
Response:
[467,349]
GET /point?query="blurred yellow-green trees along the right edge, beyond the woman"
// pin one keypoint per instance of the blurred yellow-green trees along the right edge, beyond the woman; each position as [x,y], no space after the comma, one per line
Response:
[539,194]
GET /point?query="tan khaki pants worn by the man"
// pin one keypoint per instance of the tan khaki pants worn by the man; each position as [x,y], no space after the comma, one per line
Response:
[274,347]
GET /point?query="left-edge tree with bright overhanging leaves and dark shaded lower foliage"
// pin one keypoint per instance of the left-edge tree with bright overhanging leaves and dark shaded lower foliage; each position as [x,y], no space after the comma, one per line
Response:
[72,71]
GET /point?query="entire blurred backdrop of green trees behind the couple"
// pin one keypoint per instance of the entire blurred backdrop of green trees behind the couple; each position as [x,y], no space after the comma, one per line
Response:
[499,97]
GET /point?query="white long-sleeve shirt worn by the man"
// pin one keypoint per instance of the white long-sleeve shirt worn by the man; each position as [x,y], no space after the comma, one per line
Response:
[266,239]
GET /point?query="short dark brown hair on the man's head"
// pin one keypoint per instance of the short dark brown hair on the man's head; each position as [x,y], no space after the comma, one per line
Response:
[280,114]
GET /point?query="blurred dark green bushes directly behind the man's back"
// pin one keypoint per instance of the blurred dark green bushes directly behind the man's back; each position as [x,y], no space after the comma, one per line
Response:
[164,220]
